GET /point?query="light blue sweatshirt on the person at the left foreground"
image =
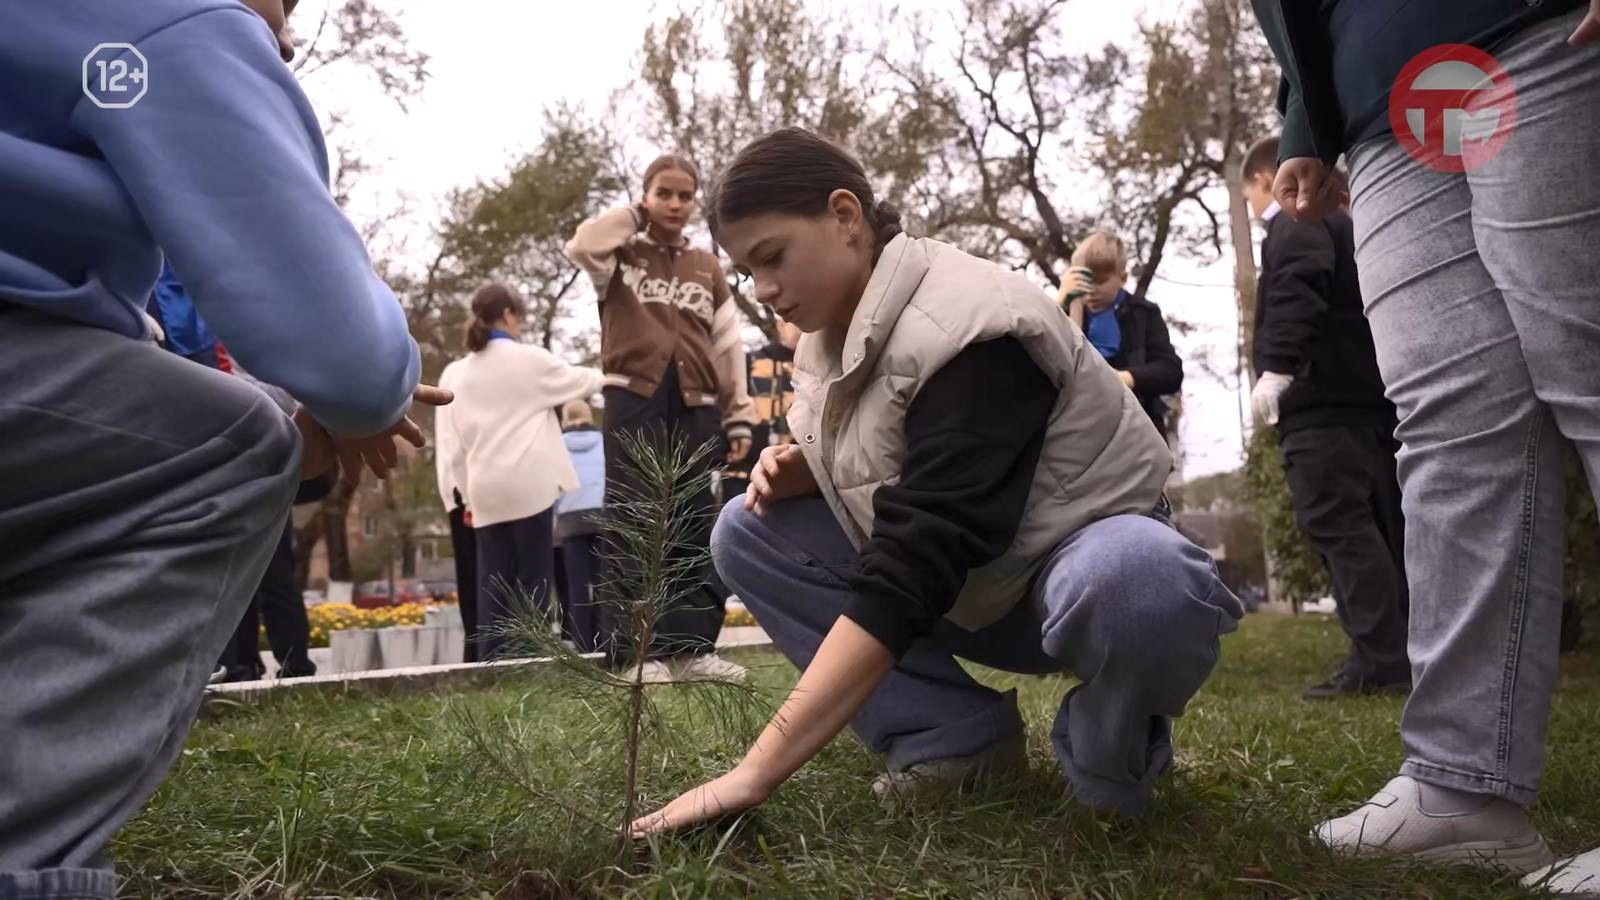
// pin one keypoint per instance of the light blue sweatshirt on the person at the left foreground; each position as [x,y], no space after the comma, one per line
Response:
[220,164]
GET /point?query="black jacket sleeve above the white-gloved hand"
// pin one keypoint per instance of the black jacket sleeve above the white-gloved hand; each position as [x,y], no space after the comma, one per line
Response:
[1297,278]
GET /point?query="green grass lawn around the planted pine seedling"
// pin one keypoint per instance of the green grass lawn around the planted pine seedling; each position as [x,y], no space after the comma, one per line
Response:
[495,794]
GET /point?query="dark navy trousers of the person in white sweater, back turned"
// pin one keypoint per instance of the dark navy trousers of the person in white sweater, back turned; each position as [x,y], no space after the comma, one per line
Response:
[516,574]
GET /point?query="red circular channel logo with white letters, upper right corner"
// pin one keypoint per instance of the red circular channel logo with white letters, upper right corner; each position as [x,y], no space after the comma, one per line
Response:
[1454,108]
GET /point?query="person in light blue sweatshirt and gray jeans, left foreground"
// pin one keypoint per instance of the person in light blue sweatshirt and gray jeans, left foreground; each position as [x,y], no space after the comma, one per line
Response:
[142,496]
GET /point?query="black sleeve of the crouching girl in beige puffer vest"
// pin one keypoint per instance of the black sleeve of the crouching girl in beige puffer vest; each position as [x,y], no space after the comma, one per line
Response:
[974,436]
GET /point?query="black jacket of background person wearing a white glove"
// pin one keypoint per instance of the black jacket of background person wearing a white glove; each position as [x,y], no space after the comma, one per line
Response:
[1310,324]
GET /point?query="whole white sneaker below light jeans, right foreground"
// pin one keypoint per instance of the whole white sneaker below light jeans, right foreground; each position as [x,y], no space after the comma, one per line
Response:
[1394,824]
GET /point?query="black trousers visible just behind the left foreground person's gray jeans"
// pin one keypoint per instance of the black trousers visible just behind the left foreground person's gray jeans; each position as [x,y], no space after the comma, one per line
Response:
[278,603]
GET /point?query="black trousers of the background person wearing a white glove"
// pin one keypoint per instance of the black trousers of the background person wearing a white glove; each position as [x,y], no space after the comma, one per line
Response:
[1346,500]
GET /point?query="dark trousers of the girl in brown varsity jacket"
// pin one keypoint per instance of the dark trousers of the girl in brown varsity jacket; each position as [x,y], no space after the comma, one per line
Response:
[694,624]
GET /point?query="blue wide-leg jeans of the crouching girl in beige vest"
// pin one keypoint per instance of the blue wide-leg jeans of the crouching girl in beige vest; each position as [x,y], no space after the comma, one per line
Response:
[1127,605]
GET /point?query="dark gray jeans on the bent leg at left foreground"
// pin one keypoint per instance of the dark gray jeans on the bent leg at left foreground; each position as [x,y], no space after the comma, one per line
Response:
[142,497]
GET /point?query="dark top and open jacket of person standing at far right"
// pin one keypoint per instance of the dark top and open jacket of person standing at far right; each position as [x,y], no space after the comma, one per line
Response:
[1342,57]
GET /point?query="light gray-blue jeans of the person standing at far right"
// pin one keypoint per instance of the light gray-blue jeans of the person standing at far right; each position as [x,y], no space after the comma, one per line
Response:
[1484,295]
